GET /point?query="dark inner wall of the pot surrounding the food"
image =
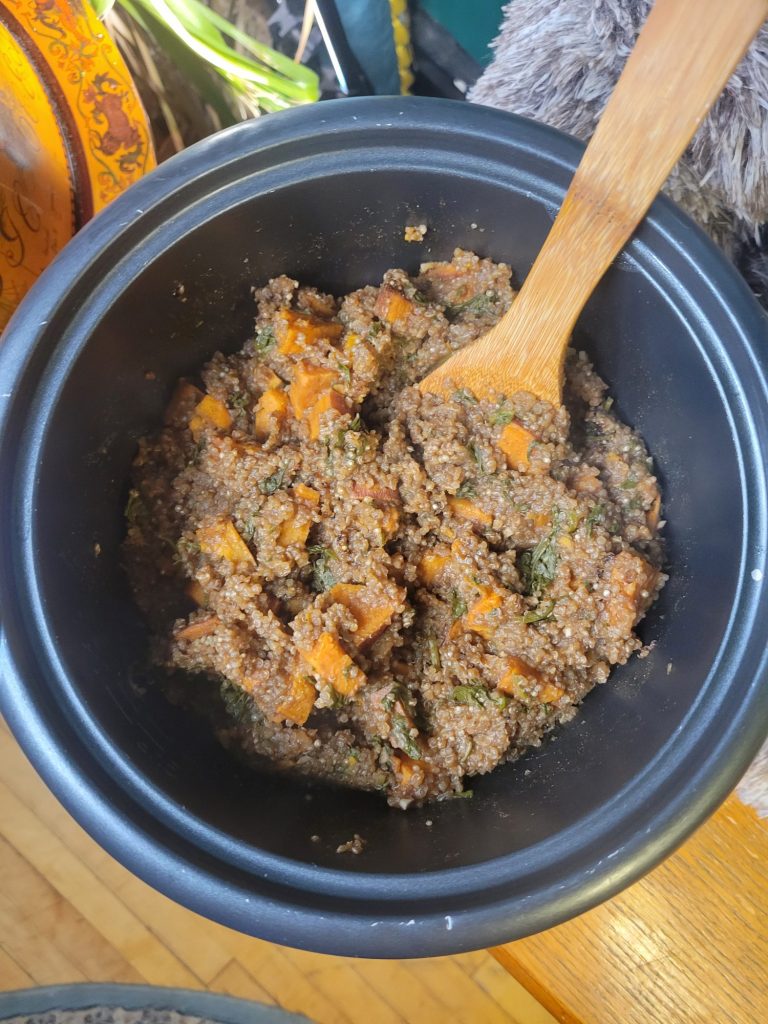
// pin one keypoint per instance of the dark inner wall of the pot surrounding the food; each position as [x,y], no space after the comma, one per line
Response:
[340,233]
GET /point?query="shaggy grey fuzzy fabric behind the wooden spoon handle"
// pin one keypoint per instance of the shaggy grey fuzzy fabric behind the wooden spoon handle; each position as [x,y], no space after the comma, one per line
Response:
[558,62]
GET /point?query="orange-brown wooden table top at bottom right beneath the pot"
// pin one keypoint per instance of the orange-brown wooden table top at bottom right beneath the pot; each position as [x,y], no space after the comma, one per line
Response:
[688,945]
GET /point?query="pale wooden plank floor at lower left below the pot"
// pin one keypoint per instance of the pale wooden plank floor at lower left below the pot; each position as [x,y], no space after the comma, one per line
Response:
[69,913]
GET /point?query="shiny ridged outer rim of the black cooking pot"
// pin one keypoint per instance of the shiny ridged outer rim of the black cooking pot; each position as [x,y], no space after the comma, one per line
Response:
[382,915]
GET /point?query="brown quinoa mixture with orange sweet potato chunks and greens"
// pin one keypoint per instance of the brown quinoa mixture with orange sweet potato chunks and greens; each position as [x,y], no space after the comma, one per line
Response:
[386,589]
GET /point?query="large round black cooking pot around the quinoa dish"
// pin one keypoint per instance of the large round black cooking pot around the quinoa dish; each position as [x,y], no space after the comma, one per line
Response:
[323,194]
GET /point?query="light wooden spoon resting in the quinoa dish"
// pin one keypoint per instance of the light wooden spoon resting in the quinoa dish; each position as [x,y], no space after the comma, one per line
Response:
[684,58]
